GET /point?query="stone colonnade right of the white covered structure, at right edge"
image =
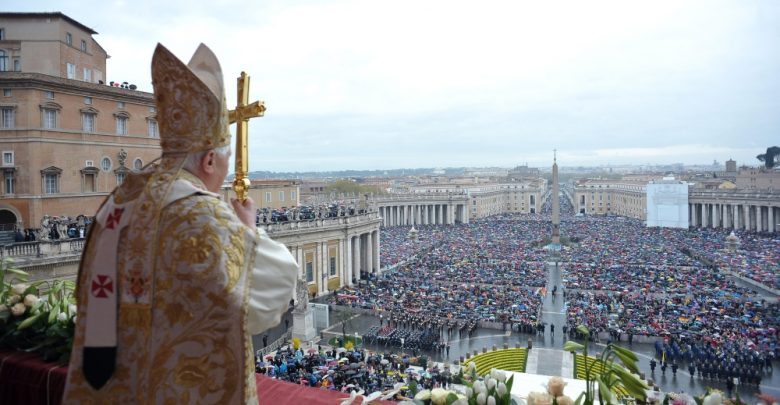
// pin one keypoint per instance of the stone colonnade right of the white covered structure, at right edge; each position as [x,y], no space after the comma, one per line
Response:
[759,218]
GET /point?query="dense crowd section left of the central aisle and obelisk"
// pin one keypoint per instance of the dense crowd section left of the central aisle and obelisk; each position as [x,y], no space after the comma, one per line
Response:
[491,271]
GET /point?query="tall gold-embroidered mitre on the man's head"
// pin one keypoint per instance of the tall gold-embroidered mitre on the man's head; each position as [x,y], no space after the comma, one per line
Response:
[191,108]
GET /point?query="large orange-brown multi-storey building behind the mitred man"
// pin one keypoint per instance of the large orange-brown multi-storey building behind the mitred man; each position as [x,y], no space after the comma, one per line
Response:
[66,138]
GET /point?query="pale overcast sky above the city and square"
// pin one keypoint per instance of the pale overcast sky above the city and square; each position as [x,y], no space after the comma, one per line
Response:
[414,83]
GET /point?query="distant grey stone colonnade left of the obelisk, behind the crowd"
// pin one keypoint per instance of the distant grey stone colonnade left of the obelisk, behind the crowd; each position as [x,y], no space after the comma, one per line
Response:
[423,214]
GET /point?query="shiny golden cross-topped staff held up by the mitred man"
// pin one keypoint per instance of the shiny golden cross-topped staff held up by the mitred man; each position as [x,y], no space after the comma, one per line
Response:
[241,115]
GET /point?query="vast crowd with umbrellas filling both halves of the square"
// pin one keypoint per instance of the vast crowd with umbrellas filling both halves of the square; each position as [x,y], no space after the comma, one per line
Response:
[619,277]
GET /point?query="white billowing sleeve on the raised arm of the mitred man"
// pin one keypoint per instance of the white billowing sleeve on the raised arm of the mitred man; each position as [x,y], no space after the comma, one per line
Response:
[274,272]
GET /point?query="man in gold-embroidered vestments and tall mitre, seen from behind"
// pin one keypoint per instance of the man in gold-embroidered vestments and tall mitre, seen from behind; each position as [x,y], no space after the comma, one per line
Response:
[173,282]
